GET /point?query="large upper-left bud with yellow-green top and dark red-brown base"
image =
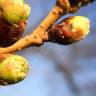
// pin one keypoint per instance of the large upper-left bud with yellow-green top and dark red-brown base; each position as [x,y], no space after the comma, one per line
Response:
[13,20]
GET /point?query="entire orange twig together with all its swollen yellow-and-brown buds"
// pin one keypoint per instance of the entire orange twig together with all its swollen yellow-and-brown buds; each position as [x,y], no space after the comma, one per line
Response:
[13,17]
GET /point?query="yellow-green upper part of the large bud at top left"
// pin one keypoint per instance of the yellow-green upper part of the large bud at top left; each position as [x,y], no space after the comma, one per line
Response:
[15,10]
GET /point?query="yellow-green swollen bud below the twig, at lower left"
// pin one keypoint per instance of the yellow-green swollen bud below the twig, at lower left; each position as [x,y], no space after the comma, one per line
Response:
[13,69]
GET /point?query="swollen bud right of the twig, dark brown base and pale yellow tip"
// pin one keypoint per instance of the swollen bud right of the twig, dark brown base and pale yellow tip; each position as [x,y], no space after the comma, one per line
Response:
[70,30]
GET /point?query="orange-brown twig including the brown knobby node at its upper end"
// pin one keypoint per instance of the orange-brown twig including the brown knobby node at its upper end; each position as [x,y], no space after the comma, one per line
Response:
[40,34]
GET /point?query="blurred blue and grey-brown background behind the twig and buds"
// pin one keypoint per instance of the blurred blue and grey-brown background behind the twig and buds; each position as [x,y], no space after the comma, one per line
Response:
[58,70]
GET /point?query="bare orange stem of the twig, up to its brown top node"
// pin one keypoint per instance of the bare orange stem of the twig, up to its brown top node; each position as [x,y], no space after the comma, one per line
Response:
[39,35]
